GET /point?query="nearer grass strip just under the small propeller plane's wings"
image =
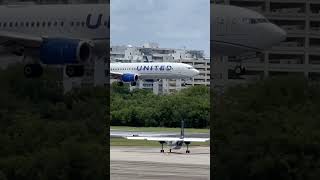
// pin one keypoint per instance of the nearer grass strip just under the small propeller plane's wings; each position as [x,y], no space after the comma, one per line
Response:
[127,142]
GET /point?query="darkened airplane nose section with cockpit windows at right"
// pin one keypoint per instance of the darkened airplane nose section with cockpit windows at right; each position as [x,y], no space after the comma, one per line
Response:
[235,30]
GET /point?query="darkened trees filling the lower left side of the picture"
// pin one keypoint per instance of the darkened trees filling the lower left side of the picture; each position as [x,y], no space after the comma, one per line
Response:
[45,134]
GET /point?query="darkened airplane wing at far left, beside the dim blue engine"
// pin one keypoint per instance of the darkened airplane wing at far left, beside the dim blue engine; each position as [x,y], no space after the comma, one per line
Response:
[14,38]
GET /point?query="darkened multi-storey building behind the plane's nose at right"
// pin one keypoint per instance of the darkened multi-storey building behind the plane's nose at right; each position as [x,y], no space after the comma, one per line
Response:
[299,54]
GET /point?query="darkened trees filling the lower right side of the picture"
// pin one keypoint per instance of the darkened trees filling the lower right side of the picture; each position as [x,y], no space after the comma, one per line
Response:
[267,130]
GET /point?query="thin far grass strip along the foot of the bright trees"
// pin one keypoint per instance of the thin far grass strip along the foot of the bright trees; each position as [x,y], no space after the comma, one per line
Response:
[158,129]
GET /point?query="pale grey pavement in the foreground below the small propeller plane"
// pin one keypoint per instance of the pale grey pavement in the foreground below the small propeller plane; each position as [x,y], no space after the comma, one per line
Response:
[148,163]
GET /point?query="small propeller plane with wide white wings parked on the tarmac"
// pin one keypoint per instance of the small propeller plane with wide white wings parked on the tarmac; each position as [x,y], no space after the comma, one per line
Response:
[172,142]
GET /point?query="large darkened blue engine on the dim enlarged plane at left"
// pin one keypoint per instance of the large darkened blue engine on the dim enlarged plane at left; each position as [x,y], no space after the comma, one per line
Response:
[64,51]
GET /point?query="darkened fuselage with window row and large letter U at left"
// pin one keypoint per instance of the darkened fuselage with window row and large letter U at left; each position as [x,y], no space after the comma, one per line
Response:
[74,21]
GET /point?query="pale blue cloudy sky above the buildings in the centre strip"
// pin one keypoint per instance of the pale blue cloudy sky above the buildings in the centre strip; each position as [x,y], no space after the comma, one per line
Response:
[170,23]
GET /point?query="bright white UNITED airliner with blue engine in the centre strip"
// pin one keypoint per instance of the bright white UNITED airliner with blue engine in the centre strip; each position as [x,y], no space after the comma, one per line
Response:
[131,72]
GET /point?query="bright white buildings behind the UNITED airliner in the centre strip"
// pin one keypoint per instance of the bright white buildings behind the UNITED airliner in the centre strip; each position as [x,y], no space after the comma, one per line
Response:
[151,52]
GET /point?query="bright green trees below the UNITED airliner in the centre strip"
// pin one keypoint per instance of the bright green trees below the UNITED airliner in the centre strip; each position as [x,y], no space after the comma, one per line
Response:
[143,108]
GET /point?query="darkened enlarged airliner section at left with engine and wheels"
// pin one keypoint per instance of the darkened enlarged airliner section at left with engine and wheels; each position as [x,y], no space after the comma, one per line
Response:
[68,34]
